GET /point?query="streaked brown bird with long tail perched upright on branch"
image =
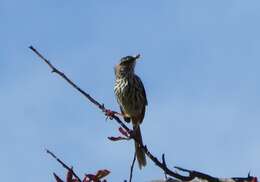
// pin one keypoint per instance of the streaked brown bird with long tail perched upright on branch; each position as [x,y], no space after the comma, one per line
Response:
[131,97]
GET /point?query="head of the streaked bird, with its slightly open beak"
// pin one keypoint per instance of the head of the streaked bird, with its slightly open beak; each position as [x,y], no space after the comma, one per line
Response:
[126,66]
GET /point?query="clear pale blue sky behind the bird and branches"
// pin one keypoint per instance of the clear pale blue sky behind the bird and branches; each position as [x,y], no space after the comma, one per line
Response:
[200,66]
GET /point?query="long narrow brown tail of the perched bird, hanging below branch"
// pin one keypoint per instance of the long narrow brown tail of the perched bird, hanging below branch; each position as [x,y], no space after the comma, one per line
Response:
[140,155]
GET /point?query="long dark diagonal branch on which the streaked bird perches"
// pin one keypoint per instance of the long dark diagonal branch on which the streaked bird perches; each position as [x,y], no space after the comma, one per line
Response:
[112,115]
